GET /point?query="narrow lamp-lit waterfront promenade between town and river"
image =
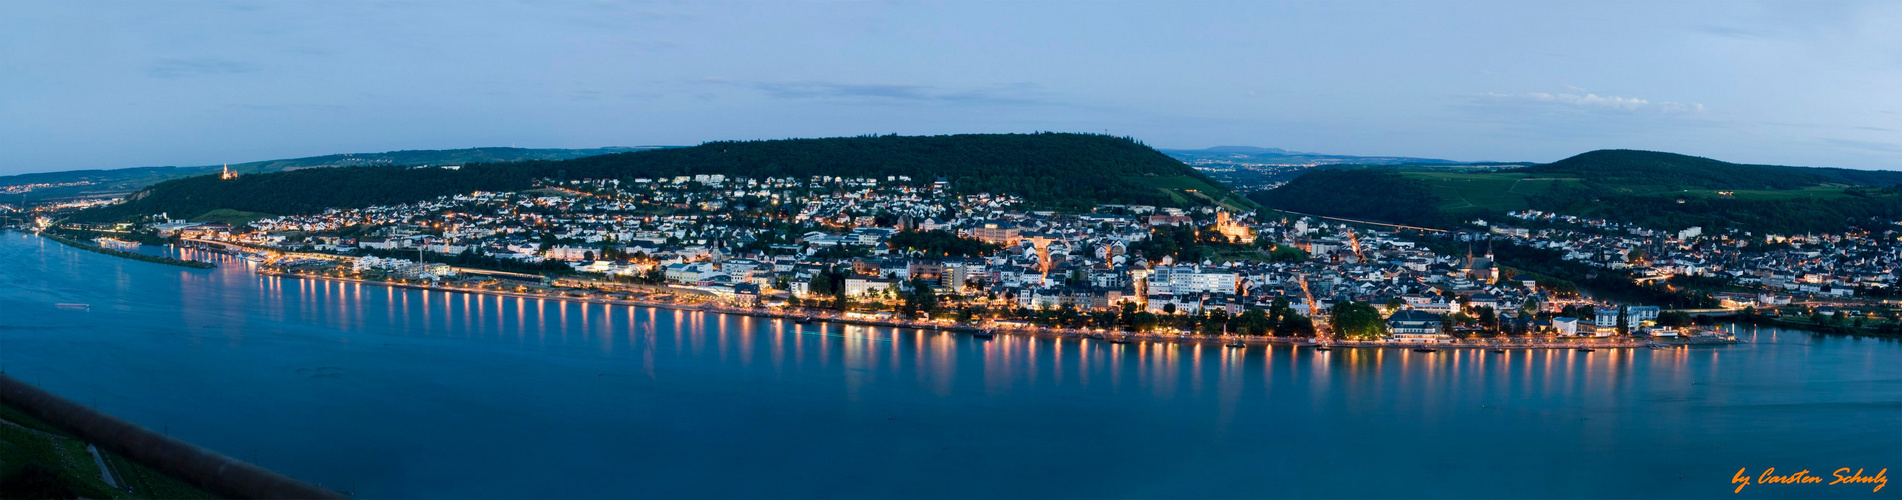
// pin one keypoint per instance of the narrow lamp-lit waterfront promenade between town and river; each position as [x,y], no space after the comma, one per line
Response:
[1051,334]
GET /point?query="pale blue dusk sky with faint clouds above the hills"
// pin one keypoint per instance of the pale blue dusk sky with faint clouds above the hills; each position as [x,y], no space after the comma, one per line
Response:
[119,85]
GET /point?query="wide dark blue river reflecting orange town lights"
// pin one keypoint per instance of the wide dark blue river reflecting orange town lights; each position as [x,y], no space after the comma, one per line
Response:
[391,394]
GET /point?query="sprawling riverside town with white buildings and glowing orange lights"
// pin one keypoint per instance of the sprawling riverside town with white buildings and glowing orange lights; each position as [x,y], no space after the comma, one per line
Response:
[914,250]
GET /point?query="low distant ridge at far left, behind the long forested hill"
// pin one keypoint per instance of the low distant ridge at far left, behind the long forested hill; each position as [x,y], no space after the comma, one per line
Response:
[90,183]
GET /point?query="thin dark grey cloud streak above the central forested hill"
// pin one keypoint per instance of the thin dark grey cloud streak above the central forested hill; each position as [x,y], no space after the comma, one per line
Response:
[1005,94]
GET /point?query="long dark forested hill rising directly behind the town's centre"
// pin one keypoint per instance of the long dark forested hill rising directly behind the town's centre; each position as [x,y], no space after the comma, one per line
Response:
[1049,170]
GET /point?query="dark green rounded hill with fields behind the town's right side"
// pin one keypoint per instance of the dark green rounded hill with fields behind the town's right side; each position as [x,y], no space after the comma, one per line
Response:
[1652,189]
